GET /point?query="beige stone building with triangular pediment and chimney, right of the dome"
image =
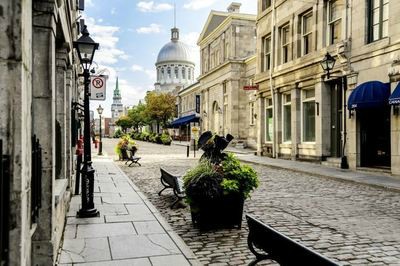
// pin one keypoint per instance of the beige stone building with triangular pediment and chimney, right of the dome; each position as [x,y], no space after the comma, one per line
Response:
[227,49]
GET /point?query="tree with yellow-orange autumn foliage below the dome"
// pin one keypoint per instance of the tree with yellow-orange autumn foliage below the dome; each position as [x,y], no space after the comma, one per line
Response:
[160,107]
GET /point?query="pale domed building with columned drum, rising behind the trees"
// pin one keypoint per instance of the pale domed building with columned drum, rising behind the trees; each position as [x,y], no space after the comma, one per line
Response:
[175,68]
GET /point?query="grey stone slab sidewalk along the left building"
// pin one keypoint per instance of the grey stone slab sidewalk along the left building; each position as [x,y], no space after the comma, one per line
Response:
[129,231]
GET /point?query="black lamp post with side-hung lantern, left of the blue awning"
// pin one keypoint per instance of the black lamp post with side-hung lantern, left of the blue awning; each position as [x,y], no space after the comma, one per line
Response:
[327,63]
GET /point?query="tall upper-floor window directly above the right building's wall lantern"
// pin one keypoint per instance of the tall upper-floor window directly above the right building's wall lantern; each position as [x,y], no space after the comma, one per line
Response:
[335,8]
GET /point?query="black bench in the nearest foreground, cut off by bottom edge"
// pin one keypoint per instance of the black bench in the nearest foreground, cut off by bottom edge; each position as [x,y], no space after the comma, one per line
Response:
[279,247]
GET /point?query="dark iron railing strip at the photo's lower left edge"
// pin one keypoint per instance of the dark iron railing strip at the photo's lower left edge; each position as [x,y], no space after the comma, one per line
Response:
[4,205]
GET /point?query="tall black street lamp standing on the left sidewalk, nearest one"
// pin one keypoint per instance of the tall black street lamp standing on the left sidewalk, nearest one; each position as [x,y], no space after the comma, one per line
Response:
[85,47]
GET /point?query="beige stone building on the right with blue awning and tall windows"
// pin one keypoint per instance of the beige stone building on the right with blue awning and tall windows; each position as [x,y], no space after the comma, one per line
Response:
[306,113]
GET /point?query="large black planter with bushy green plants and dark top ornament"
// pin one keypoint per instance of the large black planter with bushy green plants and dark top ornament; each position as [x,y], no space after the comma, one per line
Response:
[218,186]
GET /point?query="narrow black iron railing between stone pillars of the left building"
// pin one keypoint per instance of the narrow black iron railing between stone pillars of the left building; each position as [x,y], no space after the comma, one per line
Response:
[36,188]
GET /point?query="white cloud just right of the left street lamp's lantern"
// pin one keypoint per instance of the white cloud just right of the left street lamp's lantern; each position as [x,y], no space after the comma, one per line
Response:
[106,36]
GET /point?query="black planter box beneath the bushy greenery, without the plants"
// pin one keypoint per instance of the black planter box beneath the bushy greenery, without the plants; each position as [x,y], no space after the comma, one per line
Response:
[224,212]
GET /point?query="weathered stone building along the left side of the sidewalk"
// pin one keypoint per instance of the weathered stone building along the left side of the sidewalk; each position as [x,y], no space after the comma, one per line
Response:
[38,89]
